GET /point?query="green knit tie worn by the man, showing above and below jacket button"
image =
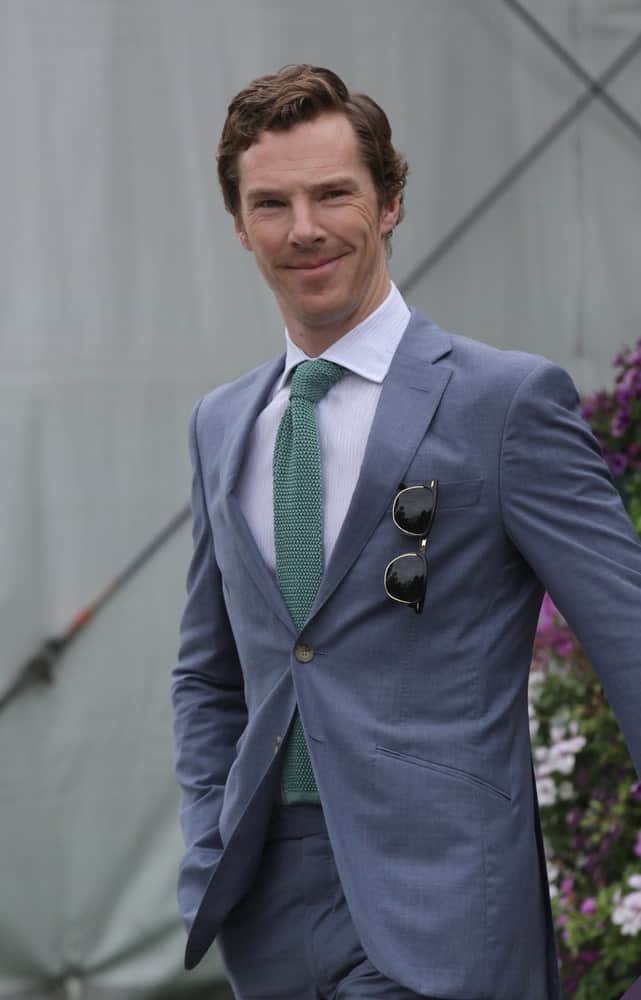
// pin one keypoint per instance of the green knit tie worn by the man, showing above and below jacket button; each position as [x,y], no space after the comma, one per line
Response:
[298,535]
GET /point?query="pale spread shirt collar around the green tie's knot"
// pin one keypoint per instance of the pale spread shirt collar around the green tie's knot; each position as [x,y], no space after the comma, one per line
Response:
[367,349]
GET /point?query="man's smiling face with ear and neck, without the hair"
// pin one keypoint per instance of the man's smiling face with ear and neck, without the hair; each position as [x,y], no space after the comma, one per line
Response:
[309,211]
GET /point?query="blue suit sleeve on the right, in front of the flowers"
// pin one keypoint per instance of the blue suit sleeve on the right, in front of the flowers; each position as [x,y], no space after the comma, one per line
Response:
[566,518]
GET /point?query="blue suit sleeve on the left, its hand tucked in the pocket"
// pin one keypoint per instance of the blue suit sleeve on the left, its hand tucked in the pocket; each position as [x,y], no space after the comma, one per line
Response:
[208,702]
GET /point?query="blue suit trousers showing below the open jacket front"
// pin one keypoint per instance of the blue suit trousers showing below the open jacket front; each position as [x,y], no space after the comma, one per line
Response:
[292,937]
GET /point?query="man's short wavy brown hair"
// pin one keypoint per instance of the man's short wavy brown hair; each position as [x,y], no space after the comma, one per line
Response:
[300,93]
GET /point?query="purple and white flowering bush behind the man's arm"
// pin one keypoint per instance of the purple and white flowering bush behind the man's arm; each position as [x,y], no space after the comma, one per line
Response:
[588,791]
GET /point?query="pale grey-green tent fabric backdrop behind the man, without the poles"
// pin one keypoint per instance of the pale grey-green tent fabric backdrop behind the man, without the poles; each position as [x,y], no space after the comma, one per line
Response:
[123,297]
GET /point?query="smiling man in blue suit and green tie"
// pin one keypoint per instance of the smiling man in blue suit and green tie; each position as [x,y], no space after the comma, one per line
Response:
[358,802]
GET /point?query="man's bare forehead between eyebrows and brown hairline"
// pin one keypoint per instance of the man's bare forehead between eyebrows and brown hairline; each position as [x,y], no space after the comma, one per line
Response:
[301,155]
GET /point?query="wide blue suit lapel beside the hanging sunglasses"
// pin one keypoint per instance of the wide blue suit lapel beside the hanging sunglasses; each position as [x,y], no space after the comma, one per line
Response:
[410,395]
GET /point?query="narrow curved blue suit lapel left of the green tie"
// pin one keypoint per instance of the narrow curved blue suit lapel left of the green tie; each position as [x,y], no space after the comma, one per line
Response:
[248,406]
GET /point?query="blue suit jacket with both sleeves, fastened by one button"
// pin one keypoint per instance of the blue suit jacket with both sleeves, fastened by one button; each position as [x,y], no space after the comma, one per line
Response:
[417,725]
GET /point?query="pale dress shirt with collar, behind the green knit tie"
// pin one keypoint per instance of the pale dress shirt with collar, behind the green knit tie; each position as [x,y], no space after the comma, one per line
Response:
[344,418]
